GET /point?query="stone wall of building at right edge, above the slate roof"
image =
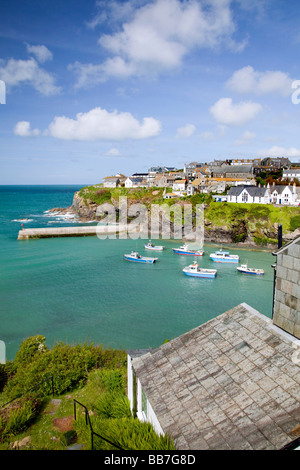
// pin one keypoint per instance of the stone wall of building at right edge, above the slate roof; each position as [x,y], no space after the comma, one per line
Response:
[287,290]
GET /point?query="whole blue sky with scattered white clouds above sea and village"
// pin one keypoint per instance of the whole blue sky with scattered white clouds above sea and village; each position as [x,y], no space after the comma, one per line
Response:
[92,88]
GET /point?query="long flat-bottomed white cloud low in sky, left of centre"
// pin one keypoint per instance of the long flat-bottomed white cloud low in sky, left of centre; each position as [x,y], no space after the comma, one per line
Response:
[99,124]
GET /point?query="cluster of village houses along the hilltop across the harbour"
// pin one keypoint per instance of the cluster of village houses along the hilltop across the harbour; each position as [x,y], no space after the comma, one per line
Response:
[233,179]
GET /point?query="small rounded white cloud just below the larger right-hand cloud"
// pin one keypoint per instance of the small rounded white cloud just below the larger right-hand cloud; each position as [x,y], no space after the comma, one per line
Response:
[229,114]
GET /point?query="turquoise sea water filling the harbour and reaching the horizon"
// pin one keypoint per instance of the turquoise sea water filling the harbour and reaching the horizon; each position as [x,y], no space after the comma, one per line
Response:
[82,290]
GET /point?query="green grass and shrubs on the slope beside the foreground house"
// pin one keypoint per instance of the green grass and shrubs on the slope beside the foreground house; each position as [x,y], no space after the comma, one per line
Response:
[95,377]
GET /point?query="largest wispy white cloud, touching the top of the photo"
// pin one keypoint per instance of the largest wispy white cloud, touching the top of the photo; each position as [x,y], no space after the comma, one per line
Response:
[156,37]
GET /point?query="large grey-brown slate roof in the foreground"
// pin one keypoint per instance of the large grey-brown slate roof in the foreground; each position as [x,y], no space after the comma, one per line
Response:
[230,383]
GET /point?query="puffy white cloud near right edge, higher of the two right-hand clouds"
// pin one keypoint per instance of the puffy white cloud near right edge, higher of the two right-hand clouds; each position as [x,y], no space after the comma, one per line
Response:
[248,80]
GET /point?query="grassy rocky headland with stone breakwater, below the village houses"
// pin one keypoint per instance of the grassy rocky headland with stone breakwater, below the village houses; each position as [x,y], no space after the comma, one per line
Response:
[253,225]
